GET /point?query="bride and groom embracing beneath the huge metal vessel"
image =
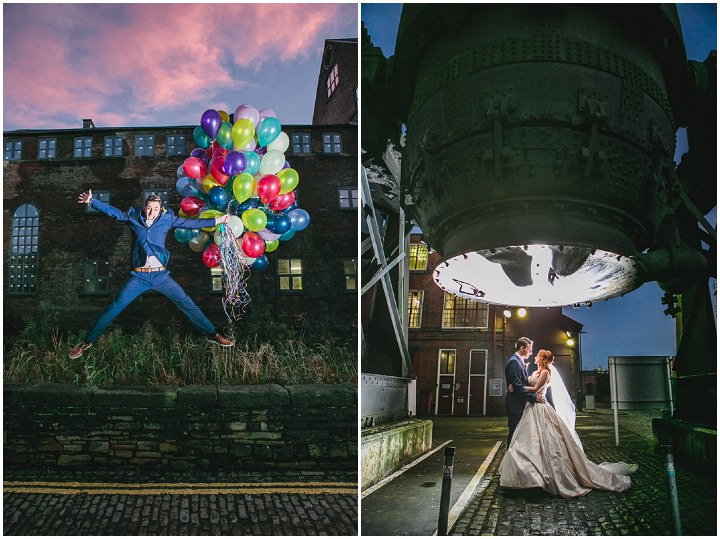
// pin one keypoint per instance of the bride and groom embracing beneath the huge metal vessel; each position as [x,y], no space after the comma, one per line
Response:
[544,451]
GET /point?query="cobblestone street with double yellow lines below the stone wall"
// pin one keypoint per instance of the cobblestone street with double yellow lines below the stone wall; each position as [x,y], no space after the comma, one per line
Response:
[138,503]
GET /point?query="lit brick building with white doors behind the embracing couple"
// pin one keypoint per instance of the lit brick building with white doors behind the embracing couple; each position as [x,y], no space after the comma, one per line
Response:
[459,347]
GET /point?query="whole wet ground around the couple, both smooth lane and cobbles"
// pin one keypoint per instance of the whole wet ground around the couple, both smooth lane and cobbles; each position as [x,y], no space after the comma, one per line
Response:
[409,504]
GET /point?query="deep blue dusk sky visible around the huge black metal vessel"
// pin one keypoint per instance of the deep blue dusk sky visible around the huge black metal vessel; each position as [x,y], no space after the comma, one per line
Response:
[633,324]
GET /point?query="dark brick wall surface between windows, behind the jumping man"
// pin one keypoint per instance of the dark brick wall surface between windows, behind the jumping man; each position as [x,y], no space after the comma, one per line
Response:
[68,236]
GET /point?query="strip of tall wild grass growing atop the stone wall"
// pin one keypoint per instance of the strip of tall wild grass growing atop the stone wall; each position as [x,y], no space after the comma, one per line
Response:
[149,357]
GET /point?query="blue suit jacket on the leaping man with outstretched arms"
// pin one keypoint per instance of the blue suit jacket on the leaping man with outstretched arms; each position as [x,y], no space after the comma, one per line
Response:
[149,241]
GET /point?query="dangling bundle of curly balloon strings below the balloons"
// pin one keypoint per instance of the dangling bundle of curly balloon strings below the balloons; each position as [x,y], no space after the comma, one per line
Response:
[236,273]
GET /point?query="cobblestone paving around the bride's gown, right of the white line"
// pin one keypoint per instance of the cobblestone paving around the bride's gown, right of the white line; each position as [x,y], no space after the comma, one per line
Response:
[642,510]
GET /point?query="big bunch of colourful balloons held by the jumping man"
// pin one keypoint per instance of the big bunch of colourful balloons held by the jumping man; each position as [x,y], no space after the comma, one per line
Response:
[240,168]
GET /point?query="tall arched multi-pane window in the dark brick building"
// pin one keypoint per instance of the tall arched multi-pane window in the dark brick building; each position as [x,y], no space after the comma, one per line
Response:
[23,250]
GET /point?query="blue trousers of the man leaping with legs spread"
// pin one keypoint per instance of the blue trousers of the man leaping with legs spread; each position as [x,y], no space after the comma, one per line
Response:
[138,284]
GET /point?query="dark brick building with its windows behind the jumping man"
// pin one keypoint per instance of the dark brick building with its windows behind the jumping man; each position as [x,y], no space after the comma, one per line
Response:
[66,262]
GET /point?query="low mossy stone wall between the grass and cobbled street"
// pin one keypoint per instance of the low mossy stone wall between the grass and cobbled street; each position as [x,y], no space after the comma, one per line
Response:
[181,428]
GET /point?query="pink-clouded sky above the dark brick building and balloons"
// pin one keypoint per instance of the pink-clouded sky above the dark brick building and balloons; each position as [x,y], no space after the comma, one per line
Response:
[163,64]
